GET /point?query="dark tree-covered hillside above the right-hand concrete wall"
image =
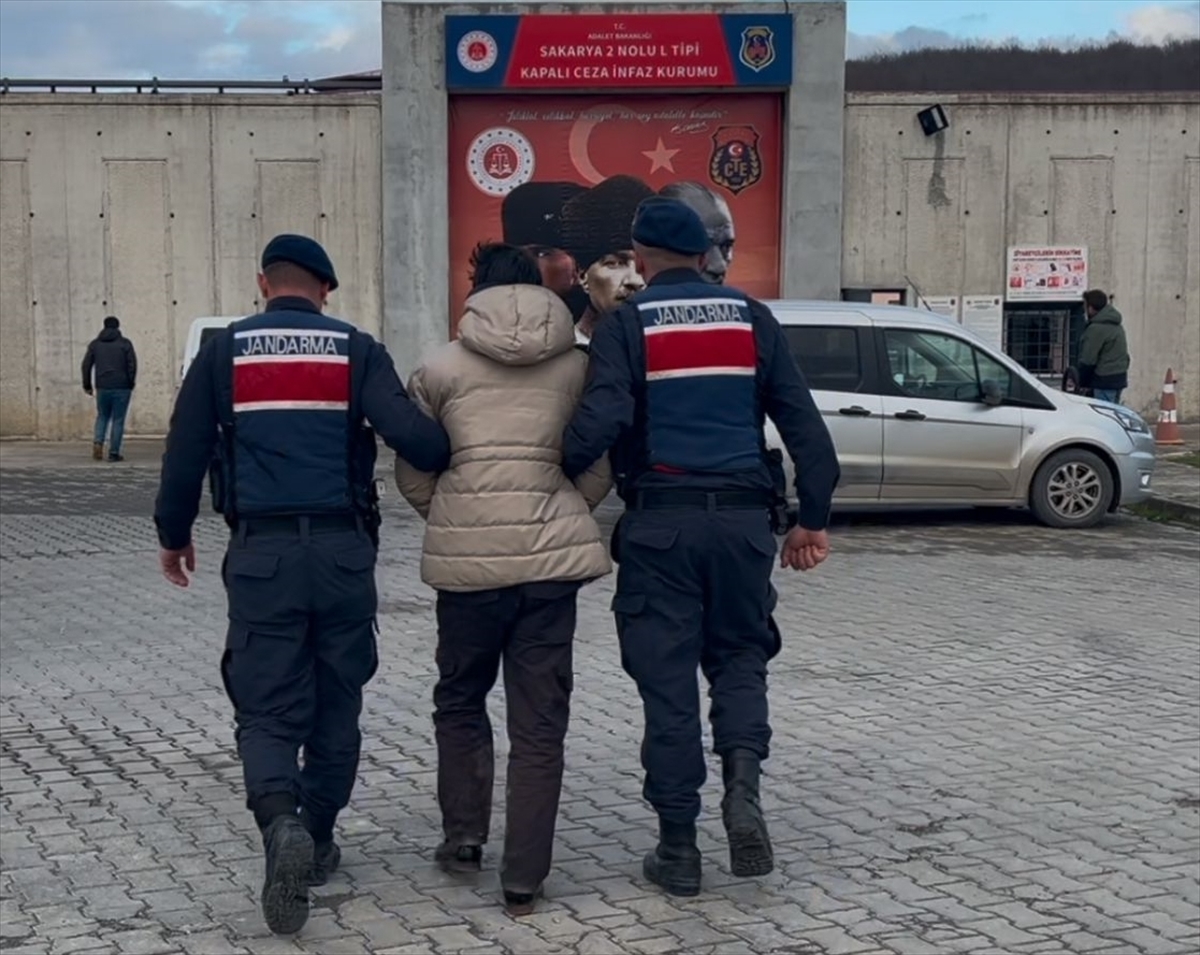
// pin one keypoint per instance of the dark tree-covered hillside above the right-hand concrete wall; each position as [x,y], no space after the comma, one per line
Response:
[1118,67]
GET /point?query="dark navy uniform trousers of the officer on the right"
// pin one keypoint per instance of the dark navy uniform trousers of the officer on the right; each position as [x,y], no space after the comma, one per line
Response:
[694,590]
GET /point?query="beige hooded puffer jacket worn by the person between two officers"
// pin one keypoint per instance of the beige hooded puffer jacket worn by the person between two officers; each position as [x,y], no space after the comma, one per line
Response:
[505,513]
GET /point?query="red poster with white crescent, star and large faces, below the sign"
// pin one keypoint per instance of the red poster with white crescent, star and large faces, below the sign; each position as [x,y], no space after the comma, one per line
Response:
[562,176]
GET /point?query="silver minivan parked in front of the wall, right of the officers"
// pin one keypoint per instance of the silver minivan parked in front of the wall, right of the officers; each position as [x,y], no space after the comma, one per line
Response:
[923,412]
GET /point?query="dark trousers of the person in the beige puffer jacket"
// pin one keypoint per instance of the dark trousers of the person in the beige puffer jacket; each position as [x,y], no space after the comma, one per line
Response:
[532,629]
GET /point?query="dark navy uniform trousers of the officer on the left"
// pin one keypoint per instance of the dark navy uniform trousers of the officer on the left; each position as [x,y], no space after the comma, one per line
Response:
[301,648]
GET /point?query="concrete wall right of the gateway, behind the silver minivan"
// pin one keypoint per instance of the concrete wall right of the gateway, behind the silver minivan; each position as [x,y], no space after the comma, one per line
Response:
[1118,173]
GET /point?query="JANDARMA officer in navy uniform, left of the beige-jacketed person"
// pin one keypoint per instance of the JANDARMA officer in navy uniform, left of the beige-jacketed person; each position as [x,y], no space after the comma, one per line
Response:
[280,400]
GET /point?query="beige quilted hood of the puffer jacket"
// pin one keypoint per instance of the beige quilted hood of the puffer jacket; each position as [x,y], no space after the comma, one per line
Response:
[517,325]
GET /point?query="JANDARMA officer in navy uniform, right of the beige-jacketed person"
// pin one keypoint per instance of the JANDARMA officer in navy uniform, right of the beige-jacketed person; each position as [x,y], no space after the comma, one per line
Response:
[680,381]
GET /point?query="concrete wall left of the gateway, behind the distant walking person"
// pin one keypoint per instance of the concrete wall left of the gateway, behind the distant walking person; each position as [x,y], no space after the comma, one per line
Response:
[155,209]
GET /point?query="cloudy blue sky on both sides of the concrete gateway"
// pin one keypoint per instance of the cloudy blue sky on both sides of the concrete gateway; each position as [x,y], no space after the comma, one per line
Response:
[269,39]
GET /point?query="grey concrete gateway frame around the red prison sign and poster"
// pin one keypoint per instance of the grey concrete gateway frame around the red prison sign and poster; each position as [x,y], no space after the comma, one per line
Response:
[416,232]
